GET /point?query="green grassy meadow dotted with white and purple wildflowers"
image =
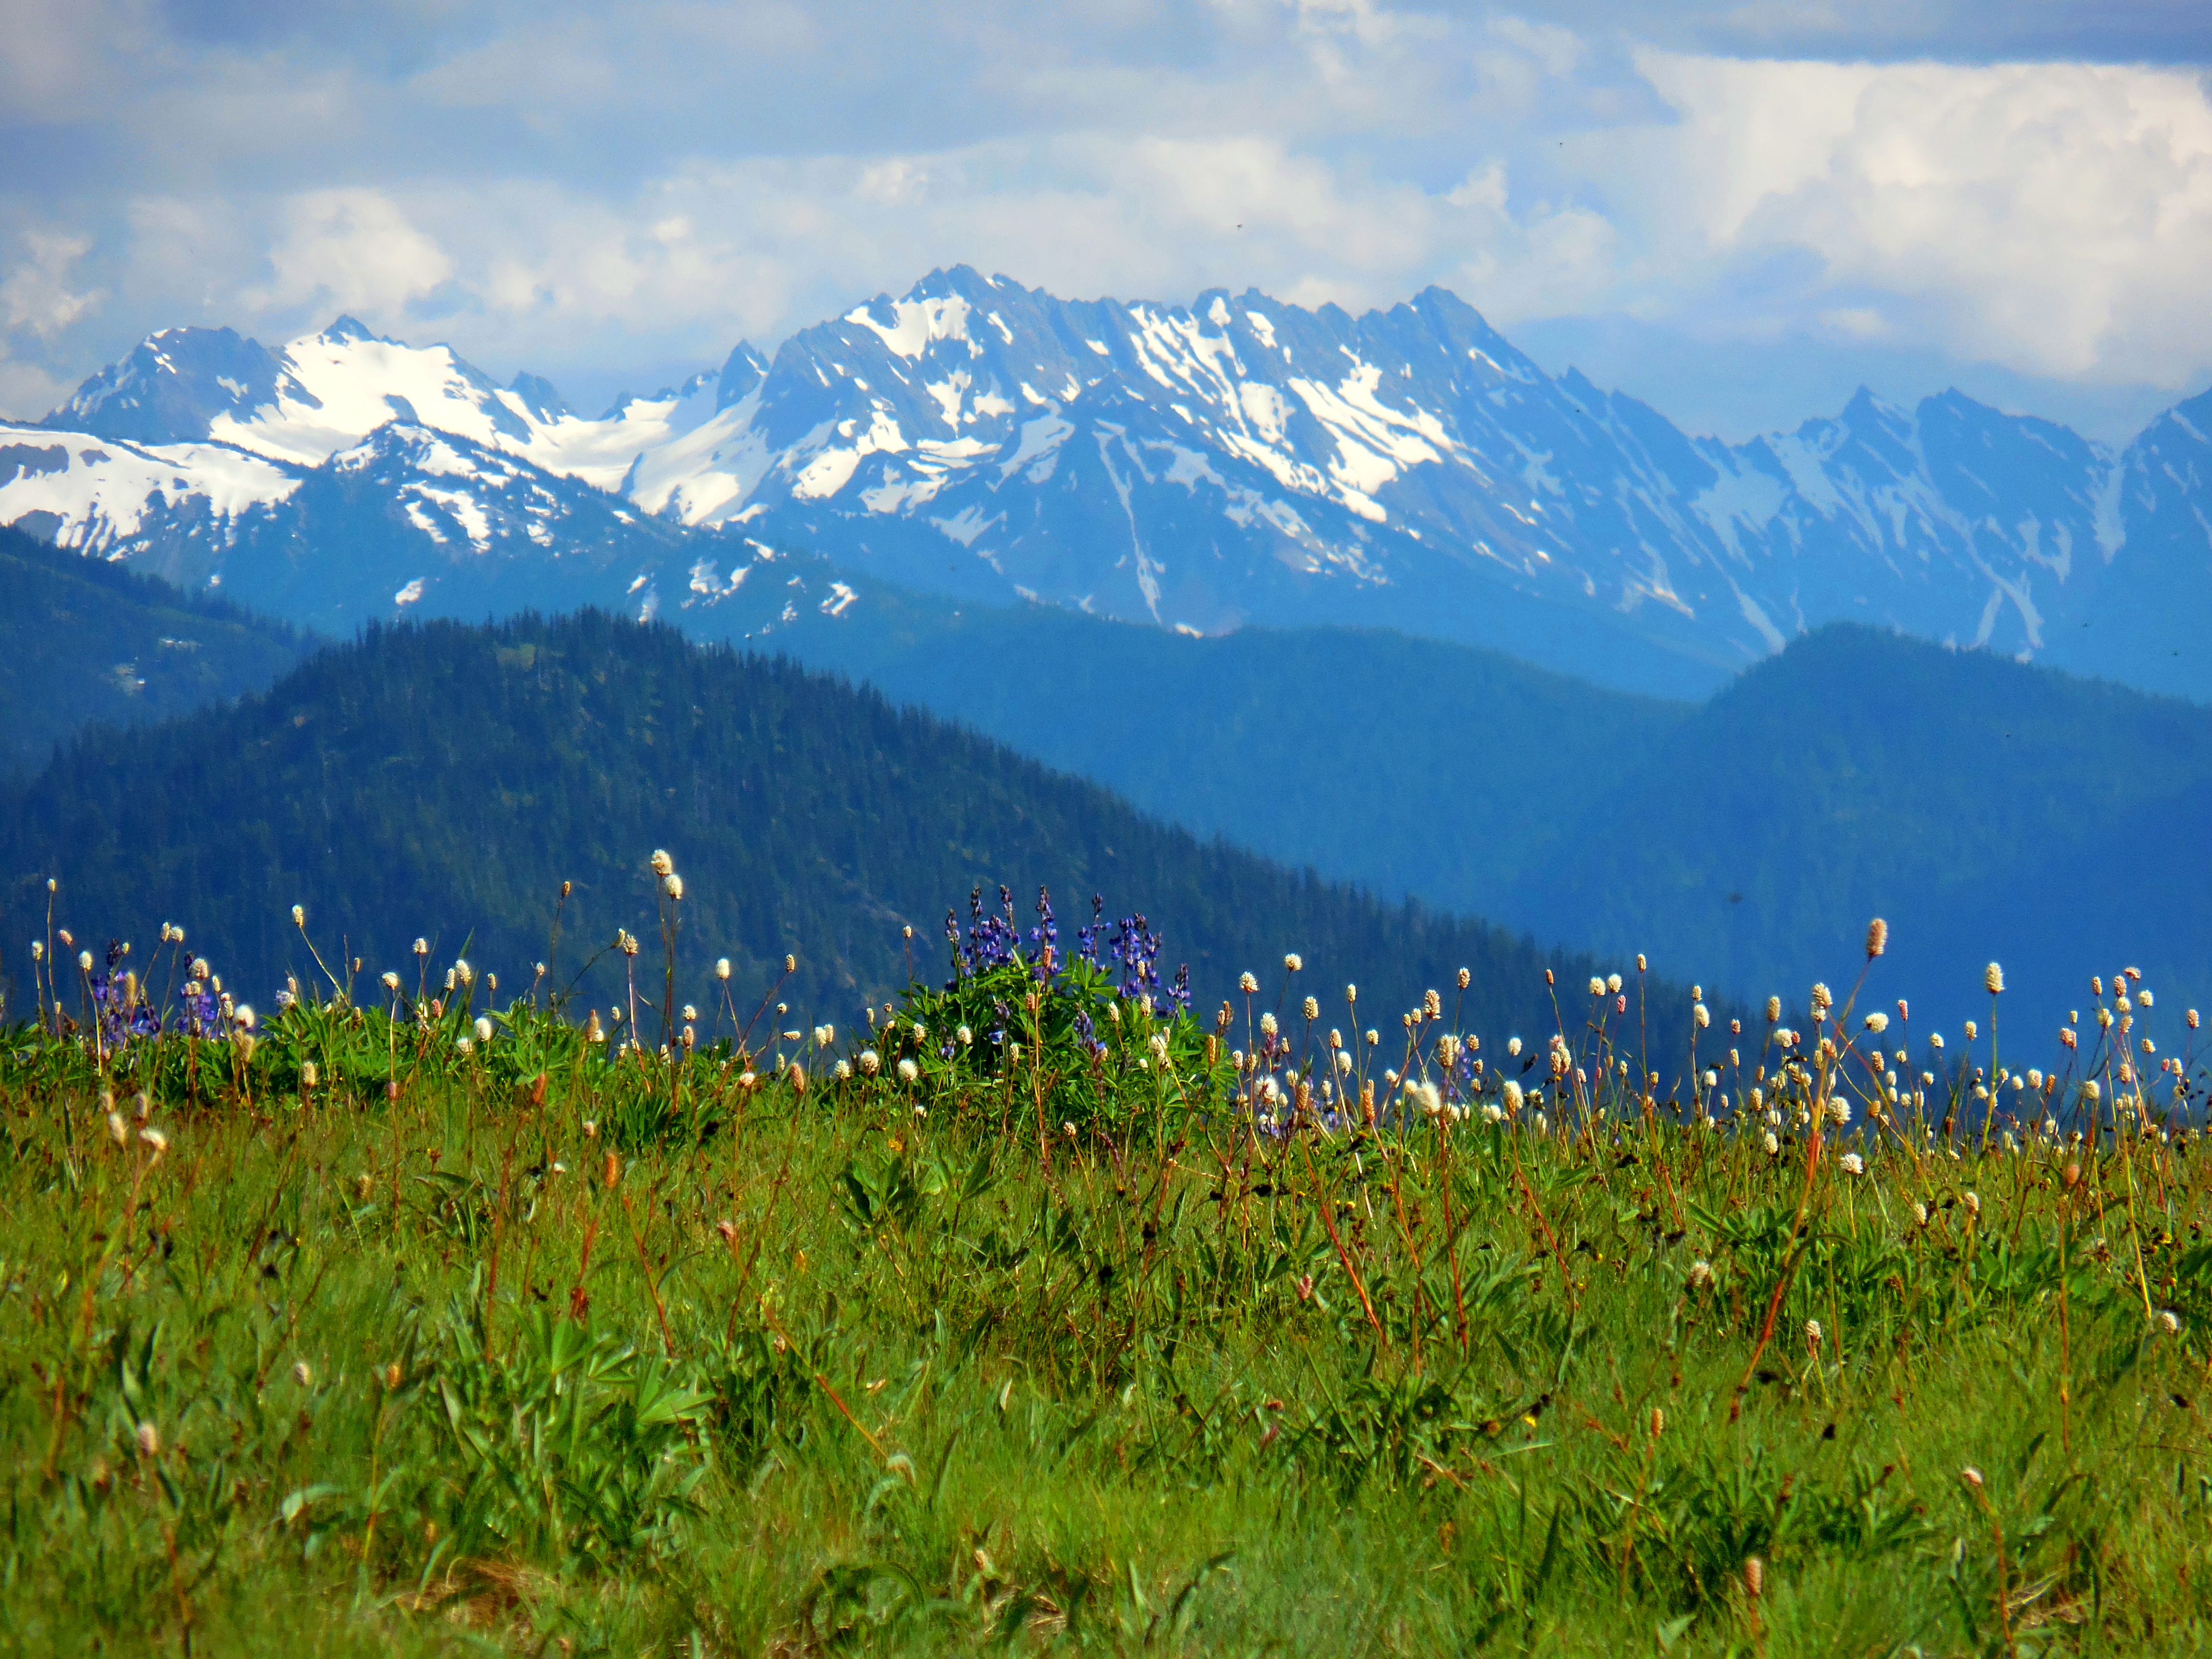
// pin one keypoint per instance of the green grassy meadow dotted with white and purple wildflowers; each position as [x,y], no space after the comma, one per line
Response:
[559,1348]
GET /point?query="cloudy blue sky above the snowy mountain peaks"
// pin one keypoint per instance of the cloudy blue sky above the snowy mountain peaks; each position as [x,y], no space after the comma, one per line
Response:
[1733,211]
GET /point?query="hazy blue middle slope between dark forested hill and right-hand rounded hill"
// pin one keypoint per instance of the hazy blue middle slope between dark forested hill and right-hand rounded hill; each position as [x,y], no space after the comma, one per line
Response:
[1412,766]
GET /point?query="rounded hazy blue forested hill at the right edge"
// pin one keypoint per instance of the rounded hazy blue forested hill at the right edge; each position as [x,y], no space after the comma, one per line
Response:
[1987,808]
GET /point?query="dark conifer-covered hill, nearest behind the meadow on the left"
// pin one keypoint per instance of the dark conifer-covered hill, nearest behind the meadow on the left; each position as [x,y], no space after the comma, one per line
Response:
[444,782]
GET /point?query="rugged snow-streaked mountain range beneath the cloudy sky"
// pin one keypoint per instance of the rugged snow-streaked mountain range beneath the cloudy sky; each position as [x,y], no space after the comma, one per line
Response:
[1198,466]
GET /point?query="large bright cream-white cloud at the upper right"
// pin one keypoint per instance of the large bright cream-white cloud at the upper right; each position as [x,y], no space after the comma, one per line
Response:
[2049,218]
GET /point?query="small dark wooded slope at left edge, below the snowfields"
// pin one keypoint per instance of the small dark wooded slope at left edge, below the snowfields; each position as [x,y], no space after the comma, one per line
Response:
[85,643]
